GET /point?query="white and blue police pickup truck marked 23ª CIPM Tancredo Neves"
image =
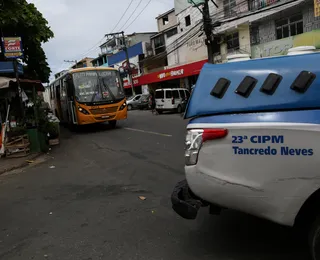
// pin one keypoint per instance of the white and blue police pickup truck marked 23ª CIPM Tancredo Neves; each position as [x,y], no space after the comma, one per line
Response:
[253,142]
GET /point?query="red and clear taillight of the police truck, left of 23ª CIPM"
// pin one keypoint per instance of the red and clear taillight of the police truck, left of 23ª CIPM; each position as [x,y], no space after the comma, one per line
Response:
[194,140]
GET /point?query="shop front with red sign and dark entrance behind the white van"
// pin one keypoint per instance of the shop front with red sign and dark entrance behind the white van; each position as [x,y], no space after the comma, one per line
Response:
[183,76]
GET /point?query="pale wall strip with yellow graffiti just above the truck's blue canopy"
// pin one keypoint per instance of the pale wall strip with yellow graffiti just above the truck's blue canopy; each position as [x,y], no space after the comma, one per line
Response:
[281,47]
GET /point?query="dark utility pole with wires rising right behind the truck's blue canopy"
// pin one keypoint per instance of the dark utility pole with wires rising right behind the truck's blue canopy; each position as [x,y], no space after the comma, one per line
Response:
[207,25]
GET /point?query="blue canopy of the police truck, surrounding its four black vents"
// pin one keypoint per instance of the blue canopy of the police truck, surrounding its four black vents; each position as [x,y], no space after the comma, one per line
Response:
[289,67]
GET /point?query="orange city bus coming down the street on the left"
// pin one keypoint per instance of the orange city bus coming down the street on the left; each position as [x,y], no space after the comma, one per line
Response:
[87,96]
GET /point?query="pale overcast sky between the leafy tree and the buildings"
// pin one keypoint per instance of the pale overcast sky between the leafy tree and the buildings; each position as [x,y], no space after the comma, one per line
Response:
[79,25]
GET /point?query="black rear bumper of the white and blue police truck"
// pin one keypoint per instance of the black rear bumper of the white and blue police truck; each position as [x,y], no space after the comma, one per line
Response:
[184,202]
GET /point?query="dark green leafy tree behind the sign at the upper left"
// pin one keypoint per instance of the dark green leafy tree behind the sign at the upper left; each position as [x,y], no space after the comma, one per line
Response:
[19,18]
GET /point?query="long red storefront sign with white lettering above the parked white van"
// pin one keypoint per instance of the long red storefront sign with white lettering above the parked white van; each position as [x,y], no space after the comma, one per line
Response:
[169,74]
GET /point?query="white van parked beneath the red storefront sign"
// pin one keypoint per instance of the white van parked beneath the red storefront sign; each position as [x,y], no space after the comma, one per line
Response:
[170,99]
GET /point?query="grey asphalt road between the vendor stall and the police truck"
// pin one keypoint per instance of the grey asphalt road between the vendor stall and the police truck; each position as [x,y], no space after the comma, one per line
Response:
[88,206]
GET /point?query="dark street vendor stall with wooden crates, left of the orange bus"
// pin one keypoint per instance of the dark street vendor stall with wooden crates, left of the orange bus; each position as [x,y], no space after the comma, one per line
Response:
[27,126]
